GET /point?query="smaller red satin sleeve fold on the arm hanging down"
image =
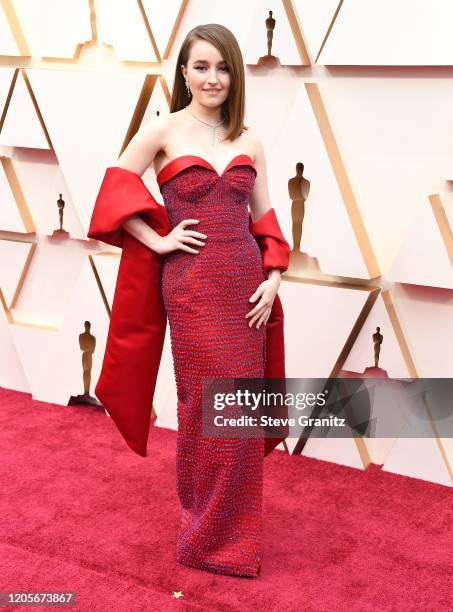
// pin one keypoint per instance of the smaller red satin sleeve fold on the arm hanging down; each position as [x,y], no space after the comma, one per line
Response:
[275,250]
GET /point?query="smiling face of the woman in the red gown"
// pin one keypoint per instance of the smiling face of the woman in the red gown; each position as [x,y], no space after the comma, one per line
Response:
[208,75]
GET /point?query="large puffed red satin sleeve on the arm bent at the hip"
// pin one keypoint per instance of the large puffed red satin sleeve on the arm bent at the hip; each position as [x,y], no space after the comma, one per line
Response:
[121,195]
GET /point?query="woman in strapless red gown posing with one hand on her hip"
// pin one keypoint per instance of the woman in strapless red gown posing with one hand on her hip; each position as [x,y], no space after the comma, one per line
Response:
[217,291]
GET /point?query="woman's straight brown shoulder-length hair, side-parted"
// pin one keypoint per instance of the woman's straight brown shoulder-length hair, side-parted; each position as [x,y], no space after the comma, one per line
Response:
[224,40]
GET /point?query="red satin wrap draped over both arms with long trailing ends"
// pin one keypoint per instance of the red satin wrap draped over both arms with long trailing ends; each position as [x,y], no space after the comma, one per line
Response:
[138,318]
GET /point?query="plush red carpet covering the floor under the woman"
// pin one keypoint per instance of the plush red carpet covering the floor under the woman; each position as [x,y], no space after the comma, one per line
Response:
[80,512]
